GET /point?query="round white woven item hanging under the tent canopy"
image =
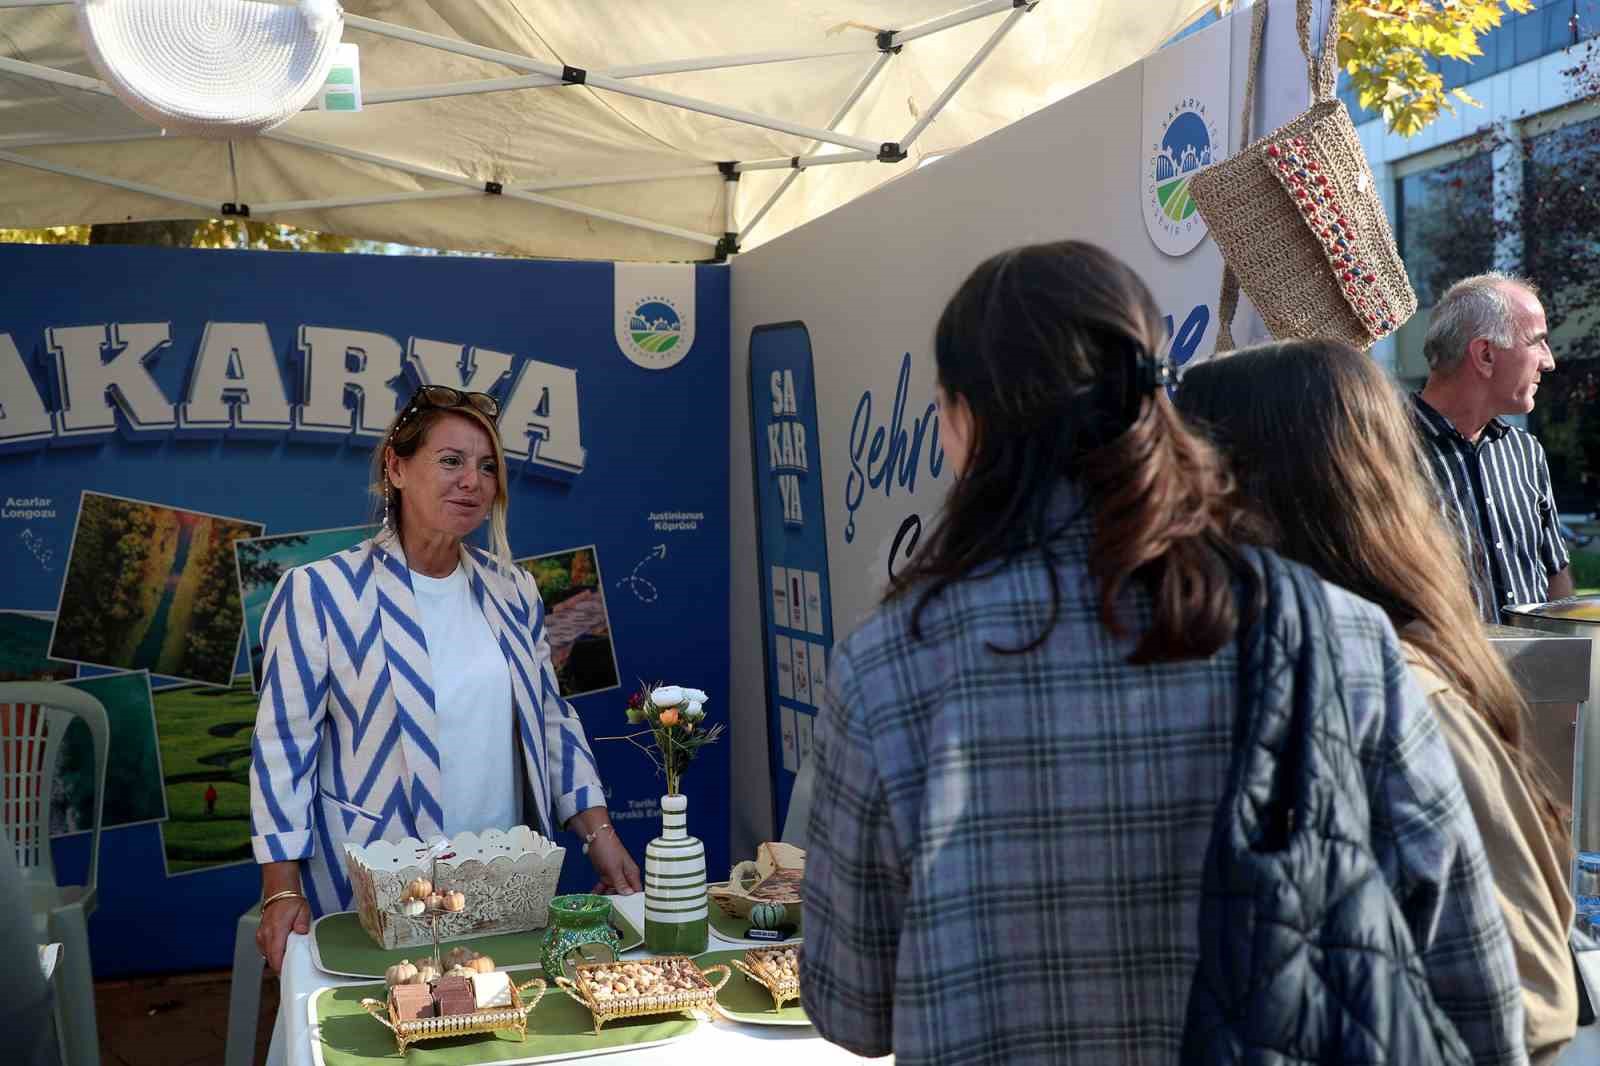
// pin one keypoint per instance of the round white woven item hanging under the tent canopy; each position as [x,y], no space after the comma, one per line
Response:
[212,68]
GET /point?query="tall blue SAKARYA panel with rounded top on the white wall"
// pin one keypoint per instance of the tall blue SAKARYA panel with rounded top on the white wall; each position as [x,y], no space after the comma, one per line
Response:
[798,606]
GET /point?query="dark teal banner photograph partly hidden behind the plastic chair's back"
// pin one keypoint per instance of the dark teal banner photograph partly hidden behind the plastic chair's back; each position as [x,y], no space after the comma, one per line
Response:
[134,769]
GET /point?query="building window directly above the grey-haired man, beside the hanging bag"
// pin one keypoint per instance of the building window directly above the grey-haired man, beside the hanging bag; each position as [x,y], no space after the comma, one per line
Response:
[1447,223]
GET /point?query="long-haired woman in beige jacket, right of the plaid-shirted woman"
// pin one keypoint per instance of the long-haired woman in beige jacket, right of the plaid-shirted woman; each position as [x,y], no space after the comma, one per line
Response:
[1327,454]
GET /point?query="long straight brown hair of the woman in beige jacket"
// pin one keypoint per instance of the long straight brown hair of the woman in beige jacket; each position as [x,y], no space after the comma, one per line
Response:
[1324,446]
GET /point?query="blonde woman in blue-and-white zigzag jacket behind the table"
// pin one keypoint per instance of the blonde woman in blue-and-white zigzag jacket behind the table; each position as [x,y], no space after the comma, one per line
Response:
[409,689]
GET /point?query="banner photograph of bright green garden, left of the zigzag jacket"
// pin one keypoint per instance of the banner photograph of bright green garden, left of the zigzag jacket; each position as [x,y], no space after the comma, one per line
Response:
[206,751]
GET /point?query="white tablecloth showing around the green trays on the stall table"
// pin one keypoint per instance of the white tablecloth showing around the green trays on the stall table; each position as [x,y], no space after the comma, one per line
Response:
[711,1043]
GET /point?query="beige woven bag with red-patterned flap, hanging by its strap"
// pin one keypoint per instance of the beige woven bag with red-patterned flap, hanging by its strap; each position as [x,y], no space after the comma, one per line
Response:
[1300,223]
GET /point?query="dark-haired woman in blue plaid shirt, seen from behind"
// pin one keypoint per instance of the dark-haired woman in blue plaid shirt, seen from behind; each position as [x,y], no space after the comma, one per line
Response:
[1023,750]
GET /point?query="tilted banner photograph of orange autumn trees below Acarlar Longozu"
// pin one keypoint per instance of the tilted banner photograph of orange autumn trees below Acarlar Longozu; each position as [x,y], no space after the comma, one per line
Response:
[151,588]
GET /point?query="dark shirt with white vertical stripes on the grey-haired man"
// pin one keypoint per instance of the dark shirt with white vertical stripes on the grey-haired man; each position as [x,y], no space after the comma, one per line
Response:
[1497,495]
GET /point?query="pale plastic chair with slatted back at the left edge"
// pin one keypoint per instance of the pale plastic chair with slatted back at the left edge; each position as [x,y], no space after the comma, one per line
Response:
[34,718]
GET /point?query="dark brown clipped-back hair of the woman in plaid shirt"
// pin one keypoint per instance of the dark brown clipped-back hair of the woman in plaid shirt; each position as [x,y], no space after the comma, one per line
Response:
[1044,343]
